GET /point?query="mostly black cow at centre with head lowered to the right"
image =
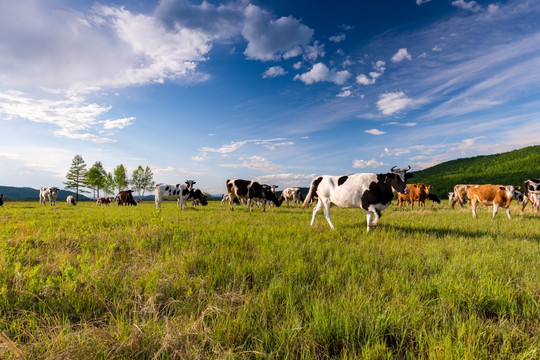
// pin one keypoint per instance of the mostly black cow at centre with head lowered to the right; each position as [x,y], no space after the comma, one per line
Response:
[251,191]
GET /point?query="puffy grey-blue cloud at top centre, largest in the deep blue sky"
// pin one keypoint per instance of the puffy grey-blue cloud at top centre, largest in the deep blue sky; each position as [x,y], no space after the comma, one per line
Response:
[270,39]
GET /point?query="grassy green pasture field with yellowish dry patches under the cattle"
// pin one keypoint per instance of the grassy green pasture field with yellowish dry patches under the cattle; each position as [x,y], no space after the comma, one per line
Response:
[91,282]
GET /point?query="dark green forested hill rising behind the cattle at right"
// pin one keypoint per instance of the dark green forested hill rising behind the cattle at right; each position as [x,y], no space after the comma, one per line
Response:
[510,168]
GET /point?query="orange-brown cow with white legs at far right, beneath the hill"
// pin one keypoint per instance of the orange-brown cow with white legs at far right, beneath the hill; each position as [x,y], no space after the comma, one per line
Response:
[496,195]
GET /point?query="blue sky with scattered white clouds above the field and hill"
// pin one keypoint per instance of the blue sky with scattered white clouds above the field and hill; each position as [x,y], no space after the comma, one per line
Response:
[274,91]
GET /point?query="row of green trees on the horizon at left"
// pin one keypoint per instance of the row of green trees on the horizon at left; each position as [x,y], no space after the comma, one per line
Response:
[79,178]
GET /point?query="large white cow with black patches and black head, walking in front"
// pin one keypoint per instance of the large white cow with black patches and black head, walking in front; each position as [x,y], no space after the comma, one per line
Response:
[371,192]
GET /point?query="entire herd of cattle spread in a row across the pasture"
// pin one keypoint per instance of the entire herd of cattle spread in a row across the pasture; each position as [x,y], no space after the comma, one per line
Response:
[371,192]
